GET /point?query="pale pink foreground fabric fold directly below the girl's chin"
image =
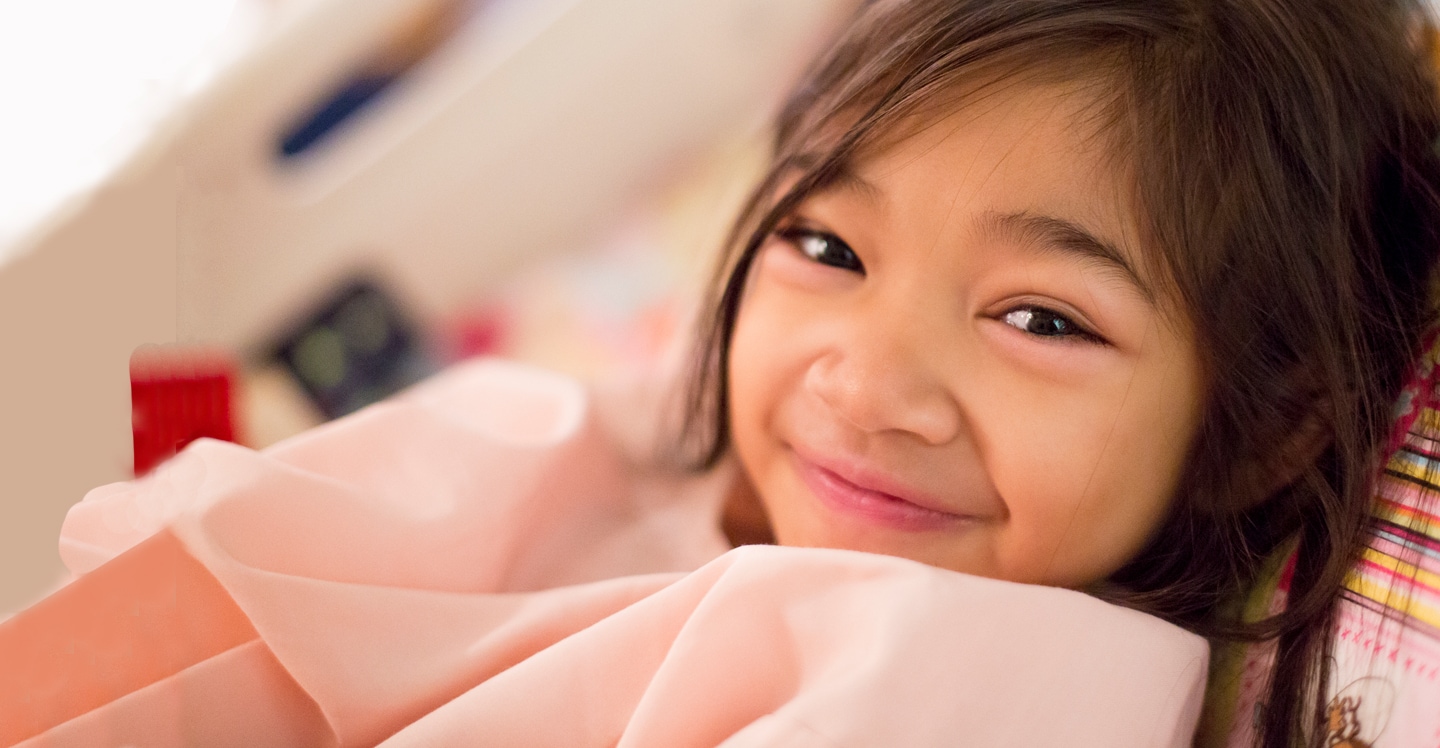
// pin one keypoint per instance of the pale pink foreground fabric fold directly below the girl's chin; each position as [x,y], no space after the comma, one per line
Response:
[780,646]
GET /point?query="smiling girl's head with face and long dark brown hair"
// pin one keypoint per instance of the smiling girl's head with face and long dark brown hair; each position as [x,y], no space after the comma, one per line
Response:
[1112,296]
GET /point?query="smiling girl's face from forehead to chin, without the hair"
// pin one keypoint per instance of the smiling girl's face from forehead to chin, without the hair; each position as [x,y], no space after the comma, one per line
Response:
[954,355]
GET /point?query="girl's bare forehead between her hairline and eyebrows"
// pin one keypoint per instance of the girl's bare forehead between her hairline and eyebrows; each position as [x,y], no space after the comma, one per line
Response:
[1007,161]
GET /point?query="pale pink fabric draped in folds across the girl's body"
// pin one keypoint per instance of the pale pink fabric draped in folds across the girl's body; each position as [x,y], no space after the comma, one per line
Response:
[480,561]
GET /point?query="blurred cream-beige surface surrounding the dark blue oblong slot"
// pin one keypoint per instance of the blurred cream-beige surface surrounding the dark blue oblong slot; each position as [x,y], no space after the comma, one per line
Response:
[523,139]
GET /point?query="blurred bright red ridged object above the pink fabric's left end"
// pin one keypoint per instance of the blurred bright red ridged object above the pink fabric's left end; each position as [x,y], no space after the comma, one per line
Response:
[179,396]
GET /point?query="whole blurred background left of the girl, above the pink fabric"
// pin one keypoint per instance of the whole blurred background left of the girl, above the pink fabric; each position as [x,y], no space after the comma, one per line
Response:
[243,218]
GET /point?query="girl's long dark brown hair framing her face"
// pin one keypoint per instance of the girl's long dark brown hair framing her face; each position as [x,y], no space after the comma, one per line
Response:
[1282,161]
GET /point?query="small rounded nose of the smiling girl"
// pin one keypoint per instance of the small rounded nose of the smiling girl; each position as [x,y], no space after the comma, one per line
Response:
[878,380]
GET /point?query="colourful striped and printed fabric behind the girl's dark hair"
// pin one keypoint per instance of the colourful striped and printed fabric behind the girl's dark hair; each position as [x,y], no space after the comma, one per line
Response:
[1386,674]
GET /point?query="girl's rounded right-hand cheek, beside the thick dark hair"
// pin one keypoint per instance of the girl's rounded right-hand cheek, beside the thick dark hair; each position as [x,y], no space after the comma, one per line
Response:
[1089,482]
